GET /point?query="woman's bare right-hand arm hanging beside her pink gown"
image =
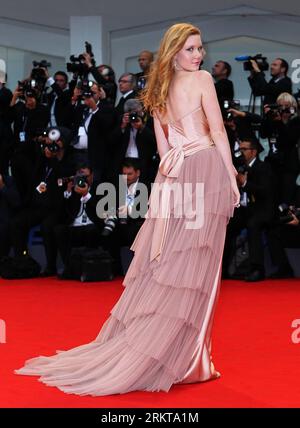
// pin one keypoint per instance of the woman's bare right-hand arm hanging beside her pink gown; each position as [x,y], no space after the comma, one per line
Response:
[215,120]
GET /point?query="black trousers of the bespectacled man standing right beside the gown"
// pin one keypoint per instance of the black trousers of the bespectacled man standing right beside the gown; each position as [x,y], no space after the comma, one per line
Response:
[255,223]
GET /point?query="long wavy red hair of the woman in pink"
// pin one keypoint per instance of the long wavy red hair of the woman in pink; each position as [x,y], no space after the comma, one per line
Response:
[155,94]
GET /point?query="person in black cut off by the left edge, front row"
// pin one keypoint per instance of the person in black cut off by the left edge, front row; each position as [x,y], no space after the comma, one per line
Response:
[10,202]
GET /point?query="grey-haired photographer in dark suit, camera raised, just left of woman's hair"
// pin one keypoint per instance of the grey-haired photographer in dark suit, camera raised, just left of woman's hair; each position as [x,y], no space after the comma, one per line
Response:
[133,139]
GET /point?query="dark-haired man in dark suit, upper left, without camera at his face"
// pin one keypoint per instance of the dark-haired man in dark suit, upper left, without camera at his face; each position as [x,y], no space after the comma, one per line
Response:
[59,100]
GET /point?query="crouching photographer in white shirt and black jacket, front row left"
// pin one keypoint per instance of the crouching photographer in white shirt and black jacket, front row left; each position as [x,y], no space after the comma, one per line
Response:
[81,227]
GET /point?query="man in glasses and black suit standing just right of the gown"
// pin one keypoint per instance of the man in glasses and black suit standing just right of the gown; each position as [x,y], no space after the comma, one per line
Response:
[256,211]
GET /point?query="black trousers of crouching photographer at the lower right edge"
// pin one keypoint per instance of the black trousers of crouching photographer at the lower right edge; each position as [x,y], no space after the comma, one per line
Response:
[282,236]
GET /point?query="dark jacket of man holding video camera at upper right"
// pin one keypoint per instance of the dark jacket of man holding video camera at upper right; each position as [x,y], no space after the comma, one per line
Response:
[270,90]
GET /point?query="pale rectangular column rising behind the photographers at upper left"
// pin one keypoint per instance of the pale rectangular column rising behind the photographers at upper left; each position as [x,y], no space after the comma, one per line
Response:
[90,29]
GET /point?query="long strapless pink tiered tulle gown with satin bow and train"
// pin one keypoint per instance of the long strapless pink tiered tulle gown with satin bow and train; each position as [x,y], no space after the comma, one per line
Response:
[159,332]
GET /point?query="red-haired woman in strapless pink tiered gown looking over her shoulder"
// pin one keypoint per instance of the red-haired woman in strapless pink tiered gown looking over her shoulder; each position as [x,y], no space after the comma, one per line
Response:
[159,332]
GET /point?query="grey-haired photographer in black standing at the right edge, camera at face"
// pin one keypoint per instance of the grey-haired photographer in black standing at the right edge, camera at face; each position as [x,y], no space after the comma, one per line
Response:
[281,126]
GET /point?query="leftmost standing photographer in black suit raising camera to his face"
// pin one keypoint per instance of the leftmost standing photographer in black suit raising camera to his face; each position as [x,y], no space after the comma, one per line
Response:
[28,118]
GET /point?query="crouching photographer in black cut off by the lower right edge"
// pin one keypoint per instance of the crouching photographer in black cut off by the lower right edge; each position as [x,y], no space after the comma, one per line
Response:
[285,233]
